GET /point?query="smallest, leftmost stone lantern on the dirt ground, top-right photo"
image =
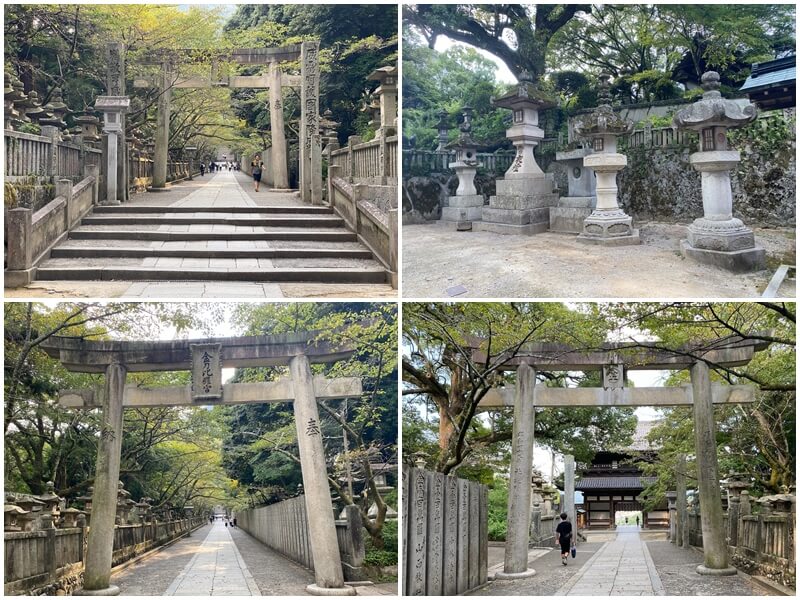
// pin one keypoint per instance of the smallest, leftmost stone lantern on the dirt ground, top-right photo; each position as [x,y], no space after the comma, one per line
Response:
[467,204]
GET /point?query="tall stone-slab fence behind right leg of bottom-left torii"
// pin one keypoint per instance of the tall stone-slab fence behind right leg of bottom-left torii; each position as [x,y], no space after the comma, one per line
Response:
[283,526]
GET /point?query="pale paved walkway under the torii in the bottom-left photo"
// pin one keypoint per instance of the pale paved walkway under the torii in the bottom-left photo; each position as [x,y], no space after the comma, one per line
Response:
[217,569]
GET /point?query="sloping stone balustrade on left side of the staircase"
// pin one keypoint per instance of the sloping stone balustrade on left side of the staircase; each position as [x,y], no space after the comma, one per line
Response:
[31,235]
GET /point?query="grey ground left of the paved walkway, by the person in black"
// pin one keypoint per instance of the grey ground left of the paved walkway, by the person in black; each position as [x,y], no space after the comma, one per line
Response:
[550,575]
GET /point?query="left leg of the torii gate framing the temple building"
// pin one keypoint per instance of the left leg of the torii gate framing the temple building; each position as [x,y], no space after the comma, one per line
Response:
[519,487]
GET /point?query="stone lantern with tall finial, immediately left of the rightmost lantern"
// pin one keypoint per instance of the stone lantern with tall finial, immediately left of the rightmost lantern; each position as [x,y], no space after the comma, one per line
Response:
[608,224]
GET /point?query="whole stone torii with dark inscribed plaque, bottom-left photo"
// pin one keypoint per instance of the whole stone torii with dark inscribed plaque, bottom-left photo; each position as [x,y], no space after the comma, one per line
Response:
[206,358]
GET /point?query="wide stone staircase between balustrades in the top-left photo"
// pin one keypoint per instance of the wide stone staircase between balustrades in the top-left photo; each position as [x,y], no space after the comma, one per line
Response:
[190,243]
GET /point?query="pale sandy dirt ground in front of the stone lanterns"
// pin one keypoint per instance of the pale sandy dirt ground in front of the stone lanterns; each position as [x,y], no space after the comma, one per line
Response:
[439,263]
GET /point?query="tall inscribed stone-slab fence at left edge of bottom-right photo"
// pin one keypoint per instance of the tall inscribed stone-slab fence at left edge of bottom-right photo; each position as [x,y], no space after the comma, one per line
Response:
[445,534]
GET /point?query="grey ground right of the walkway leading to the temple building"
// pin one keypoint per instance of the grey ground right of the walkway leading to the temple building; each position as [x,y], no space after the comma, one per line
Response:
[676,568]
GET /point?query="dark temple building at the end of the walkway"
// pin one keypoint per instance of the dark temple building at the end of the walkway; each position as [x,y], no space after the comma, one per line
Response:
[612,484]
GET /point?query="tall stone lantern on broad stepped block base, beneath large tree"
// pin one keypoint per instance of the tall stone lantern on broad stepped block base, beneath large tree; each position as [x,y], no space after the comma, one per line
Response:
[524,194]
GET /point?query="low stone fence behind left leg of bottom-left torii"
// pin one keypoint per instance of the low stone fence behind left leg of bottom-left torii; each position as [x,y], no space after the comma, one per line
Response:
[50,561]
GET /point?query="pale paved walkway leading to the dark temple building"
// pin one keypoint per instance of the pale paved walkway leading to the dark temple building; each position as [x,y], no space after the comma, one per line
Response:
[622,567]
